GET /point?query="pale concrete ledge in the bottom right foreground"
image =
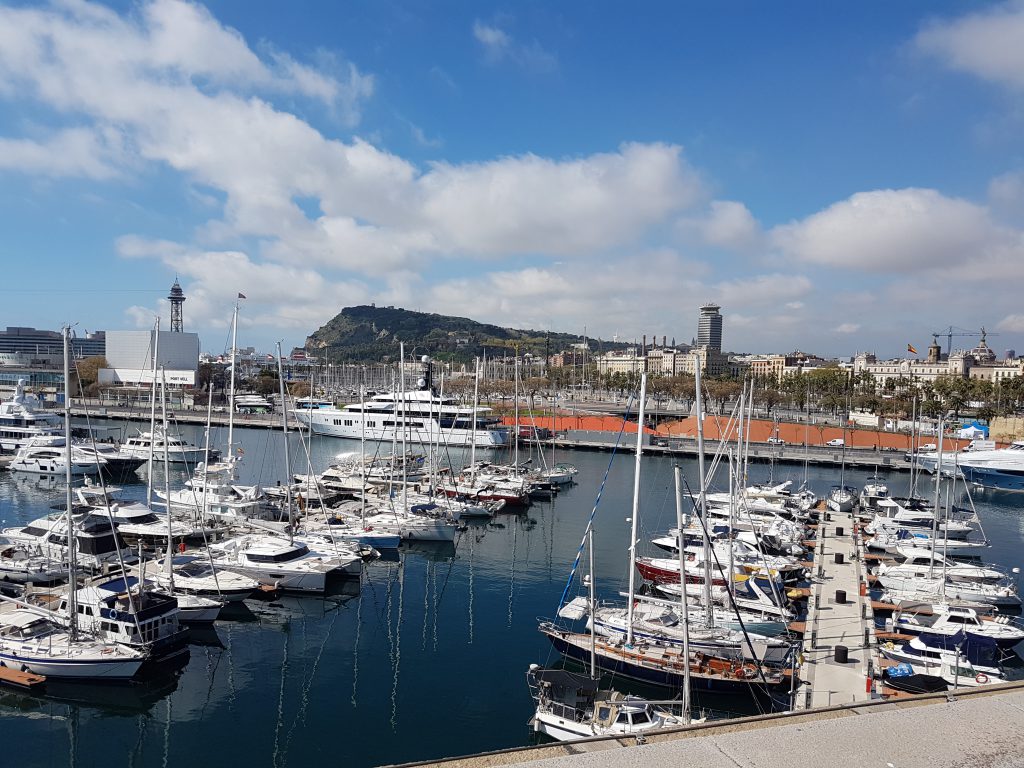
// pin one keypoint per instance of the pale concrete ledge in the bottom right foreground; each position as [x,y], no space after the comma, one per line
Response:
[978,727]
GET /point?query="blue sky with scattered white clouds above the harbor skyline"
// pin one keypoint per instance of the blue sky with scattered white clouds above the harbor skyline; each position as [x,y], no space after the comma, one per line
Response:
[838,177]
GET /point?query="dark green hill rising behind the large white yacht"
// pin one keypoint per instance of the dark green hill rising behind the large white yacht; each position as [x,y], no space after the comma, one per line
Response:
[365,334]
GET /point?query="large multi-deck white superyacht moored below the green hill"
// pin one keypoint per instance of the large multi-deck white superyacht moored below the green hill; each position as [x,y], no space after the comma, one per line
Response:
[422,415]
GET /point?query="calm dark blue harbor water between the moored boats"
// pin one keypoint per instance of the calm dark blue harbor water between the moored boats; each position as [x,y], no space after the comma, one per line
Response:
[423,658]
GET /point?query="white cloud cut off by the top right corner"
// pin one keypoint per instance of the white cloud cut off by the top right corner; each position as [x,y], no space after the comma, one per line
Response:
[989,45]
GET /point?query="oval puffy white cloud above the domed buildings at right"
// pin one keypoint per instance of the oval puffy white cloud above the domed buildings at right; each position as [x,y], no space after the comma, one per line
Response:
[892,231]
